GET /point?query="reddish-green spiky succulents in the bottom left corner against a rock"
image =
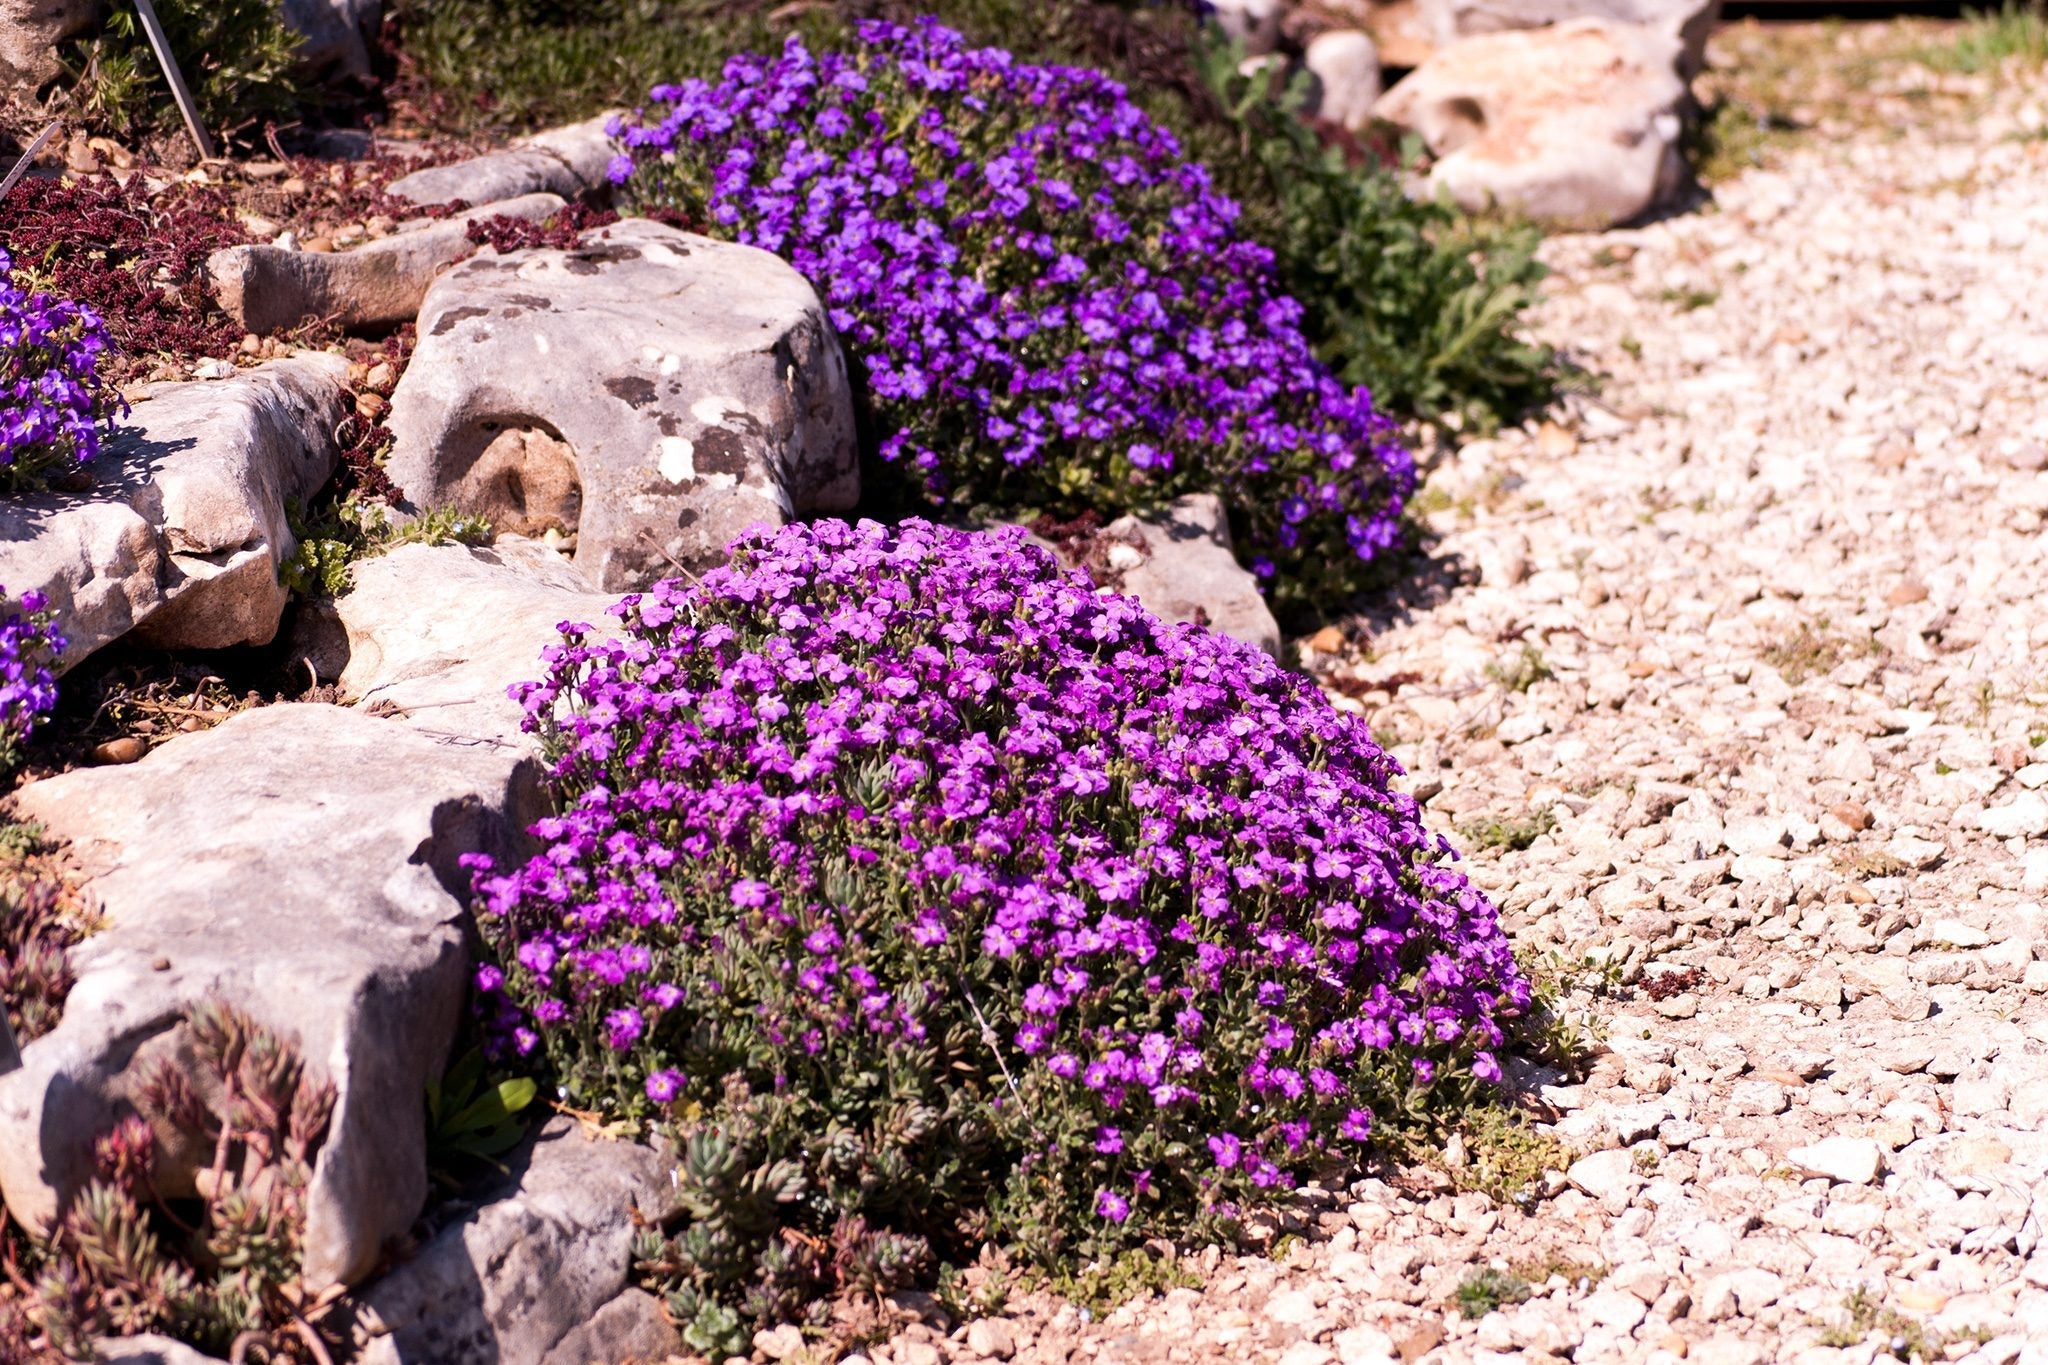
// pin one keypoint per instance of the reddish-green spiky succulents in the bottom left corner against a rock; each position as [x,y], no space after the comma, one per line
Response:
[120,1262]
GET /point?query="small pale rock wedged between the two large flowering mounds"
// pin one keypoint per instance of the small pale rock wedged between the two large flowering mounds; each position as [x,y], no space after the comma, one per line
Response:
[1181,566]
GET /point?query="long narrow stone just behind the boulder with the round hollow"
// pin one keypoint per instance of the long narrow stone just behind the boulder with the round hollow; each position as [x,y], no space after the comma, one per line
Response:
[269,288]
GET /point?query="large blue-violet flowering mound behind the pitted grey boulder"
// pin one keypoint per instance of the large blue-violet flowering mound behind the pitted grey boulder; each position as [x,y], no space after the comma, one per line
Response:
[1054,308]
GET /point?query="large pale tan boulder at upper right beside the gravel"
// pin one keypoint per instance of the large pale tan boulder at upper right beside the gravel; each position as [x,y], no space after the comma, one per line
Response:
[1574,126]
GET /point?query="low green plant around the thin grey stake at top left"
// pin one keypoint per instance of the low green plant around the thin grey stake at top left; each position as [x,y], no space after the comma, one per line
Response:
[237,56]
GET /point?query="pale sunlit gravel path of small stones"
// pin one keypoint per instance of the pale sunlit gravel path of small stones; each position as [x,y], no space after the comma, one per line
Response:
[1752,656]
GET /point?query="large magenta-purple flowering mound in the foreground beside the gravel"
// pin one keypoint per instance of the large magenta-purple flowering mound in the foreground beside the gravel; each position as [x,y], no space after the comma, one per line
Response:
[933,897]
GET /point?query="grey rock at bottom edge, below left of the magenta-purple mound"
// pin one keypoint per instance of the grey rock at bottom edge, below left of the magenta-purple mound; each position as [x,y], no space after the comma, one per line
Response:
[538,1274]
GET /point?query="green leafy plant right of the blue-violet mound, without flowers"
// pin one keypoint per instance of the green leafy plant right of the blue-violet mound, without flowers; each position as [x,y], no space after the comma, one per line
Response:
[1408,298]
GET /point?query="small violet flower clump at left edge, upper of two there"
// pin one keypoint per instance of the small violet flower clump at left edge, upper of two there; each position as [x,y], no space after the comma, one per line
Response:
[50,384]
